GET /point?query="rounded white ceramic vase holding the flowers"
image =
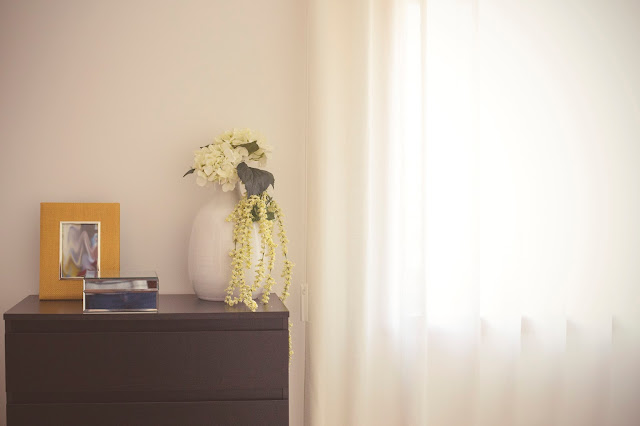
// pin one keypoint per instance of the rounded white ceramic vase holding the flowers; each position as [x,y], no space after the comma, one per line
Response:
[210,243]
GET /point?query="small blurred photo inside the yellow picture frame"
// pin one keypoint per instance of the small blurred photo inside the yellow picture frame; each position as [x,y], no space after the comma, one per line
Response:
[79,249]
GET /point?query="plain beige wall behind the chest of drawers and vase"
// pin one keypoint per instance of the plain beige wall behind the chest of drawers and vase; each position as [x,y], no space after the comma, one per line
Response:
[104,101]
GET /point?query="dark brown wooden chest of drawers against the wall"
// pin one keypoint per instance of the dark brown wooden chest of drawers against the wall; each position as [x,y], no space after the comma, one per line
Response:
[192,363]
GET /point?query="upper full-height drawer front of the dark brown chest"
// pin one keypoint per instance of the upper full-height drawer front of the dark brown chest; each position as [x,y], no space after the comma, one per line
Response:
[146,361]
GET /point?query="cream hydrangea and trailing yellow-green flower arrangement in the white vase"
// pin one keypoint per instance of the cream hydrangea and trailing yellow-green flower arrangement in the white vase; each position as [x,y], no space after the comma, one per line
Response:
[225,162]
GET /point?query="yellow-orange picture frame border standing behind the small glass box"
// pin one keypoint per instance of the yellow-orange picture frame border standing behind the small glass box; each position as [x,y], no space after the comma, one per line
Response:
[52,215]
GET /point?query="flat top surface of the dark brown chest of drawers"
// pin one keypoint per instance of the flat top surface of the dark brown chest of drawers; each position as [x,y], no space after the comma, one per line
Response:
[170,306]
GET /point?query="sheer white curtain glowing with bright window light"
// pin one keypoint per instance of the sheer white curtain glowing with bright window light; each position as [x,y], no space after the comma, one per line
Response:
[473,213]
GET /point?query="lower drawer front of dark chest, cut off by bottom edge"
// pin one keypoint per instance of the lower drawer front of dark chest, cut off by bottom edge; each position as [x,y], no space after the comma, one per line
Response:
[236,413]
